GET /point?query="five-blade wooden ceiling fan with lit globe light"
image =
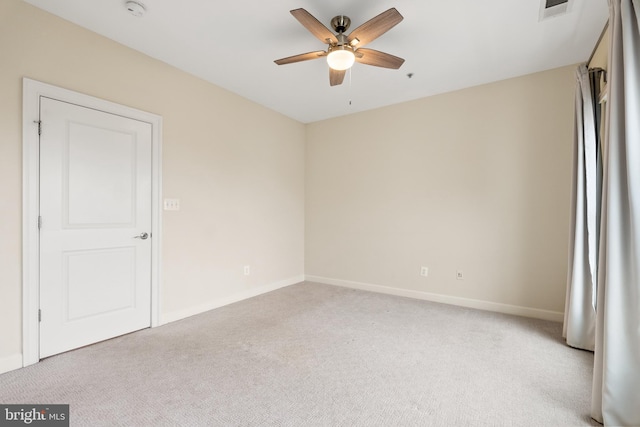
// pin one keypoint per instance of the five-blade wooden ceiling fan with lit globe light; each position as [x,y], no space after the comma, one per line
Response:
[344,50]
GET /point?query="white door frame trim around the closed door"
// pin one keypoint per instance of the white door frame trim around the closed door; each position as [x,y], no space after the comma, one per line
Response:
[32,91]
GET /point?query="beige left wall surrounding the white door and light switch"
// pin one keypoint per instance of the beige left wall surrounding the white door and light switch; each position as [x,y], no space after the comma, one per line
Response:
[237,168]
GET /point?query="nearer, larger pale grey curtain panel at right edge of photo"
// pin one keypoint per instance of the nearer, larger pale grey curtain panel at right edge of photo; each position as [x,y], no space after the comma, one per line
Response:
[616,380]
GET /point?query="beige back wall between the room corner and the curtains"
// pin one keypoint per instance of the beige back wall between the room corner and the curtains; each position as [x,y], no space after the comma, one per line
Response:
[477,180]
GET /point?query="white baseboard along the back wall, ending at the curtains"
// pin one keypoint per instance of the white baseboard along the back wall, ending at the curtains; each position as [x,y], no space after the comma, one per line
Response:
[535,313]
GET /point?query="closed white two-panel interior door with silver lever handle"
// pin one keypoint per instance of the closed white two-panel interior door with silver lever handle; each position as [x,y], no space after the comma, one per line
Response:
[95,242]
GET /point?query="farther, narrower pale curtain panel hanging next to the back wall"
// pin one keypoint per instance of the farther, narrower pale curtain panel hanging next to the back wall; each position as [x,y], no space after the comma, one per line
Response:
[580,307]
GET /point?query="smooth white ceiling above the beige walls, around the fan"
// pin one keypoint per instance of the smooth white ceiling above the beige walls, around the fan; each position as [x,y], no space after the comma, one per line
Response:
[447,45]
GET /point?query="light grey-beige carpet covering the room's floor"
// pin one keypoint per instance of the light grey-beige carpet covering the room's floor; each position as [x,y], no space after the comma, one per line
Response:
[319,355]
